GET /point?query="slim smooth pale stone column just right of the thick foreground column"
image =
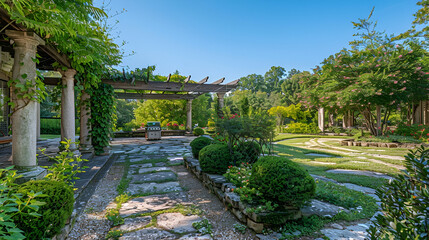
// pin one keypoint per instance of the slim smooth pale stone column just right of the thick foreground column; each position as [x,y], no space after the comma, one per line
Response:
[68,128]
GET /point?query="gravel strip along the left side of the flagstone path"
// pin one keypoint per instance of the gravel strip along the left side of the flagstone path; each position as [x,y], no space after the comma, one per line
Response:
[92,224]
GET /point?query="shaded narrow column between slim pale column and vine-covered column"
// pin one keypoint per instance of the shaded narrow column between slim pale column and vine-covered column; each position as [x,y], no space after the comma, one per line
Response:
[85,114]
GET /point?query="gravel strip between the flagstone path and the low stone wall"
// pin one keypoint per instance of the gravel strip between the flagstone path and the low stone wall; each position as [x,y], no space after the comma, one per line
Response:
[214,210]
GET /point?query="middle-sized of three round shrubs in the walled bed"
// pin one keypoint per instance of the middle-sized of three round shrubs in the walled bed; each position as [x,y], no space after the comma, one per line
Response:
[215,159]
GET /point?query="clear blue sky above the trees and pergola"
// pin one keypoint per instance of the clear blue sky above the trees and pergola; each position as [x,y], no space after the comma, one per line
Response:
[236,38]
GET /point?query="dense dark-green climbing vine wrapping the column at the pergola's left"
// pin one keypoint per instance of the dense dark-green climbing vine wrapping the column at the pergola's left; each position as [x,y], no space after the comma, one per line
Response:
[102,116]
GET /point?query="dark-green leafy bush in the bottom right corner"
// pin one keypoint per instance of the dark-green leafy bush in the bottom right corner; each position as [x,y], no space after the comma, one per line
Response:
[405,202]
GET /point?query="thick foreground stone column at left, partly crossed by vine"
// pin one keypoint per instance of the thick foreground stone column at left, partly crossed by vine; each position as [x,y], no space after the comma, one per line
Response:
[23,119]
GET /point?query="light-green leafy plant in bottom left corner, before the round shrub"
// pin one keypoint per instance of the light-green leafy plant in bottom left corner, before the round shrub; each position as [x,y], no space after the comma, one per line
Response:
[13,204]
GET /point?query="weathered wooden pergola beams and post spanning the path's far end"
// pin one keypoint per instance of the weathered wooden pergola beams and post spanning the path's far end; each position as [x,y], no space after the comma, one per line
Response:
[174,91]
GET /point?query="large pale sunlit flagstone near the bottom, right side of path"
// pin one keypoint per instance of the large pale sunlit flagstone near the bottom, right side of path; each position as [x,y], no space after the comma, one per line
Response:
[177,222]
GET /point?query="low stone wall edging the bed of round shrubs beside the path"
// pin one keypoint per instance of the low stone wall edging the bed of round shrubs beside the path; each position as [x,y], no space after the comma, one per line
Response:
[218,185]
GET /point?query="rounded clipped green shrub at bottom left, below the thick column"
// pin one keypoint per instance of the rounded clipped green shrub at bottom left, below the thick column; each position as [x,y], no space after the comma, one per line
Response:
[59,201]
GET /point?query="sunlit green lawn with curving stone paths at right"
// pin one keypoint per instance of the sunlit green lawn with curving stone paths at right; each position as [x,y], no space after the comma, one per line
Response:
[297,148]
